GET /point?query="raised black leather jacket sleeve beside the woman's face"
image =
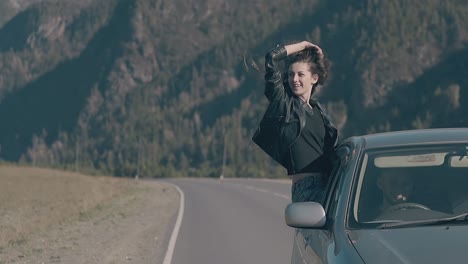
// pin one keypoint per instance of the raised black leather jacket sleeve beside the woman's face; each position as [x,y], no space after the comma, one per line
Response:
[274,88]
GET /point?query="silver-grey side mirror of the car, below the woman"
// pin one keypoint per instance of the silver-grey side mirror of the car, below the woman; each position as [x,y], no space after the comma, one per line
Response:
[305,215]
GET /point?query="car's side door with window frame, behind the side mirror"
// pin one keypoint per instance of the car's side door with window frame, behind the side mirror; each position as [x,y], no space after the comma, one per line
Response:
[312,245]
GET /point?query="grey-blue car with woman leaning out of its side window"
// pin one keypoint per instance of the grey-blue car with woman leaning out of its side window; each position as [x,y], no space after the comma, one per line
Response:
[392,197]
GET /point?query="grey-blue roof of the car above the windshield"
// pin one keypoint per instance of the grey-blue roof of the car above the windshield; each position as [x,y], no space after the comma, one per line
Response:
[414,137]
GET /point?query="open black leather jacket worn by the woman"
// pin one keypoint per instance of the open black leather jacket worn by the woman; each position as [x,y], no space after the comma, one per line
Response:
[285,117]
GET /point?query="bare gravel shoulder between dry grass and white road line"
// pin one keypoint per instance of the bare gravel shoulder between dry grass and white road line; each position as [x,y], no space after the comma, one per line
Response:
[132,228]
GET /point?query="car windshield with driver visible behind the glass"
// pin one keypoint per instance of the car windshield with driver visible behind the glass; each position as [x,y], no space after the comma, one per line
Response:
[409,184]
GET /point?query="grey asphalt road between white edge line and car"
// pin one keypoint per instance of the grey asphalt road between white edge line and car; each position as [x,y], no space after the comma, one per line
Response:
[233,221]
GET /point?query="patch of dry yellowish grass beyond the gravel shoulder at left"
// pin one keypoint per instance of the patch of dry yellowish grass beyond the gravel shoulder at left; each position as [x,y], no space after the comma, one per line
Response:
[34,199]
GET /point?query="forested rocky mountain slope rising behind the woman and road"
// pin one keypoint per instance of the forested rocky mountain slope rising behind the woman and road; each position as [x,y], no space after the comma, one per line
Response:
[160,89]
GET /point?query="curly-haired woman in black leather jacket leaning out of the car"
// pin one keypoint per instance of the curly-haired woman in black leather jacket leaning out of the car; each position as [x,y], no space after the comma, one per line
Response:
[295,131]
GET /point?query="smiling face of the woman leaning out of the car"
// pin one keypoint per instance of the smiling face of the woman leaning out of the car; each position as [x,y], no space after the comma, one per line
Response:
[301,80]
